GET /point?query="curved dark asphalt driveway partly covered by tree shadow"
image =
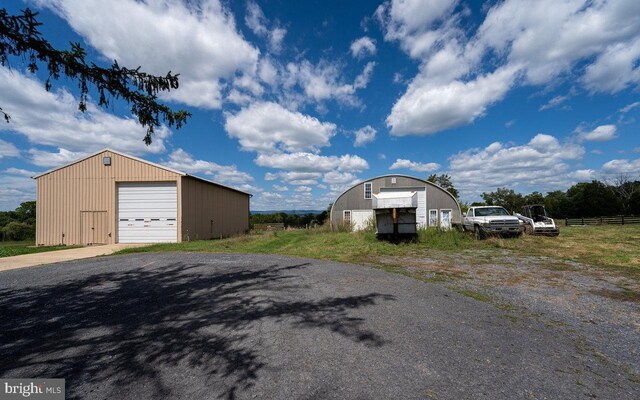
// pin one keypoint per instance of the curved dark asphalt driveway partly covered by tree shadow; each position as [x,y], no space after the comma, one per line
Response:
[190,326]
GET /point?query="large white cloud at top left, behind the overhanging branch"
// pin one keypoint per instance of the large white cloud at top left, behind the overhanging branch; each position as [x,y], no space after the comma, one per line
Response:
[199,40]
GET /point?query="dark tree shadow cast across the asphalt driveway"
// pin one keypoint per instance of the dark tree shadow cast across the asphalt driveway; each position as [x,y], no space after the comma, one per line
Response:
[123,328]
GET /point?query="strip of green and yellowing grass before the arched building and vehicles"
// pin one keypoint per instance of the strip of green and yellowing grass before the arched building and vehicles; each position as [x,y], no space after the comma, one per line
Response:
[614,247]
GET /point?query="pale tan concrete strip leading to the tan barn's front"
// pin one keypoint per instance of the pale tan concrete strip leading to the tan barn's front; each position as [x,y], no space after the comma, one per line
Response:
[50,257]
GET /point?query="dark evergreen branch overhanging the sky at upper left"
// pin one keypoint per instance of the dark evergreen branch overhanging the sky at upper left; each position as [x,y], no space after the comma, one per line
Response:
[20,38]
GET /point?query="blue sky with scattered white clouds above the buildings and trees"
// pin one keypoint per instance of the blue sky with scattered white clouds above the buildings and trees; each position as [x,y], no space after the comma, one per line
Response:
[295,101]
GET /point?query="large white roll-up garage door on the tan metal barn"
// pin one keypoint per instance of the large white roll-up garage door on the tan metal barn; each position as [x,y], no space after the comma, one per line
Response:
[147,212]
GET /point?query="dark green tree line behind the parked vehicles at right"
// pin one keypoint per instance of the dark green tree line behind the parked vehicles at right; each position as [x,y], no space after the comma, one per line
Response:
[586,199]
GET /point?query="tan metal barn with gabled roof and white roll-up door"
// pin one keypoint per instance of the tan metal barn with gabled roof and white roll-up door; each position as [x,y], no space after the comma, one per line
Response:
[111,197]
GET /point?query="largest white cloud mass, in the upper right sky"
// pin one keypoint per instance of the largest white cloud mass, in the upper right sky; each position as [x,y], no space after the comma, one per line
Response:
[520,42]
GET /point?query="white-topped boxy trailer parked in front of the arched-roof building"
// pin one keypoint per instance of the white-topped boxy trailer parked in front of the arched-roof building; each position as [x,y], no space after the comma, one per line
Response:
[395,213]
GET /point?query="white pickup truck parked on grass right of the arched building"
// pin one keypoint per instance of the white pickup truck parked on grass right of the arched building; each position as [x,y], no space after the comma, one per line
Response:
[491,220]
